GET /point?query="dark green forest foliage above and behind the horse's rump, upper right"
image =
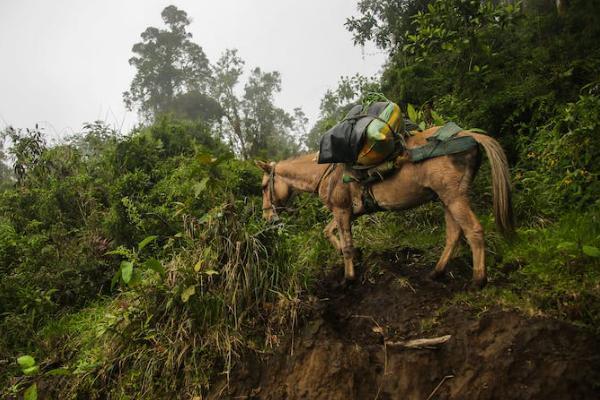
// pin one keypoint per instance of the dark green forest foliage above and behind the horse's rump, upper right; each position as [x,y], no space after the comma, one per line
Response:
[523,72]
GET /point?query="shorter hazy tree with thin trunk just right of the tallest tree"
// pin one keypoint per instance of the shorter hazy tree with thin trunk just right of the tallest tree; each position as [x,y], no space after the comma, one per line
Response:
[255,126]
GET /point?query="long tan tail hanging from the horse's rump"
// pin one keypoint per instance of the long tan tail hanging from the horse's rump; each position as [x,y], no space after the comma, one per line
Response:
[501,186]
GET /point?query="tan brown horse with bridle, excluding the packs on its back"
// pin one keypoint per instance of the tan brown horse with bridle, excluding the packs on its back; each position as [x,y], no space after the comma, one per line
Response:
[447,178]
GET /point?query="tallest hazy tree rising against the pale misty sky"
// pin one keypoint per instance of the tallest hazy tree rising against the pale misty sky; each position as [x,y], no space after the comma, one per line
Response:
[168,66]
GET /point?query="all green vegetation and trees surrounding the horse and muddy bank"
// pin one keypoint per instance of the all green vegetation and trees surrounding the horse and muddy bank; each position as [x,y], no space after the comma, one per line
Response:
[138,265]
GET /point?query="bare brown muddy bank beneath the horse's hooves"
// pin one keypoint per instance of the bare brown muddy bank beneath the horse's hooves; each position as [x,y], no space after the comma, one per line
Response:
[352,345]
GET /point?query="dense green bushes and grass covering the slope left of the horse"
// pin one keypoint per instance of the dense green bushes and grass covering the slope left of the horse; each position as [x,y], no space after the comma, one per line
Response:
[165,220]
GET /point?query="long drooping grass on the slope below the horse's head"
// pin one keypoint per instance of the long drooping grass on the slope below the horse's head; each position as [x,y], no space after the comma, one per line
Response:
[235,284]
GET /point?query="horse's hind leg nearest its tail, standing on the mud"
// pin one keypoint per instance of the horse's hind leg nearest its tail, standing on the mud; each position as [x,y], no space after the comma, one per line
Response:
[465,217]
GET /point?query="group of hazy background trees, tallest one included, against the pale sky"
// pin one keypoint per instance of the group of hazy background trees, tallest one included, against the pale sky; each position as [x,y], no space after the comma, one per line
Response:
[174,76]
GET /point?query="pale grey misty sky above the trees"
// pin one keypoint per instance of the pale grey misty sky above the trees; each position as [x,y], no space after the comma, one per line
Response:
[64,62]
